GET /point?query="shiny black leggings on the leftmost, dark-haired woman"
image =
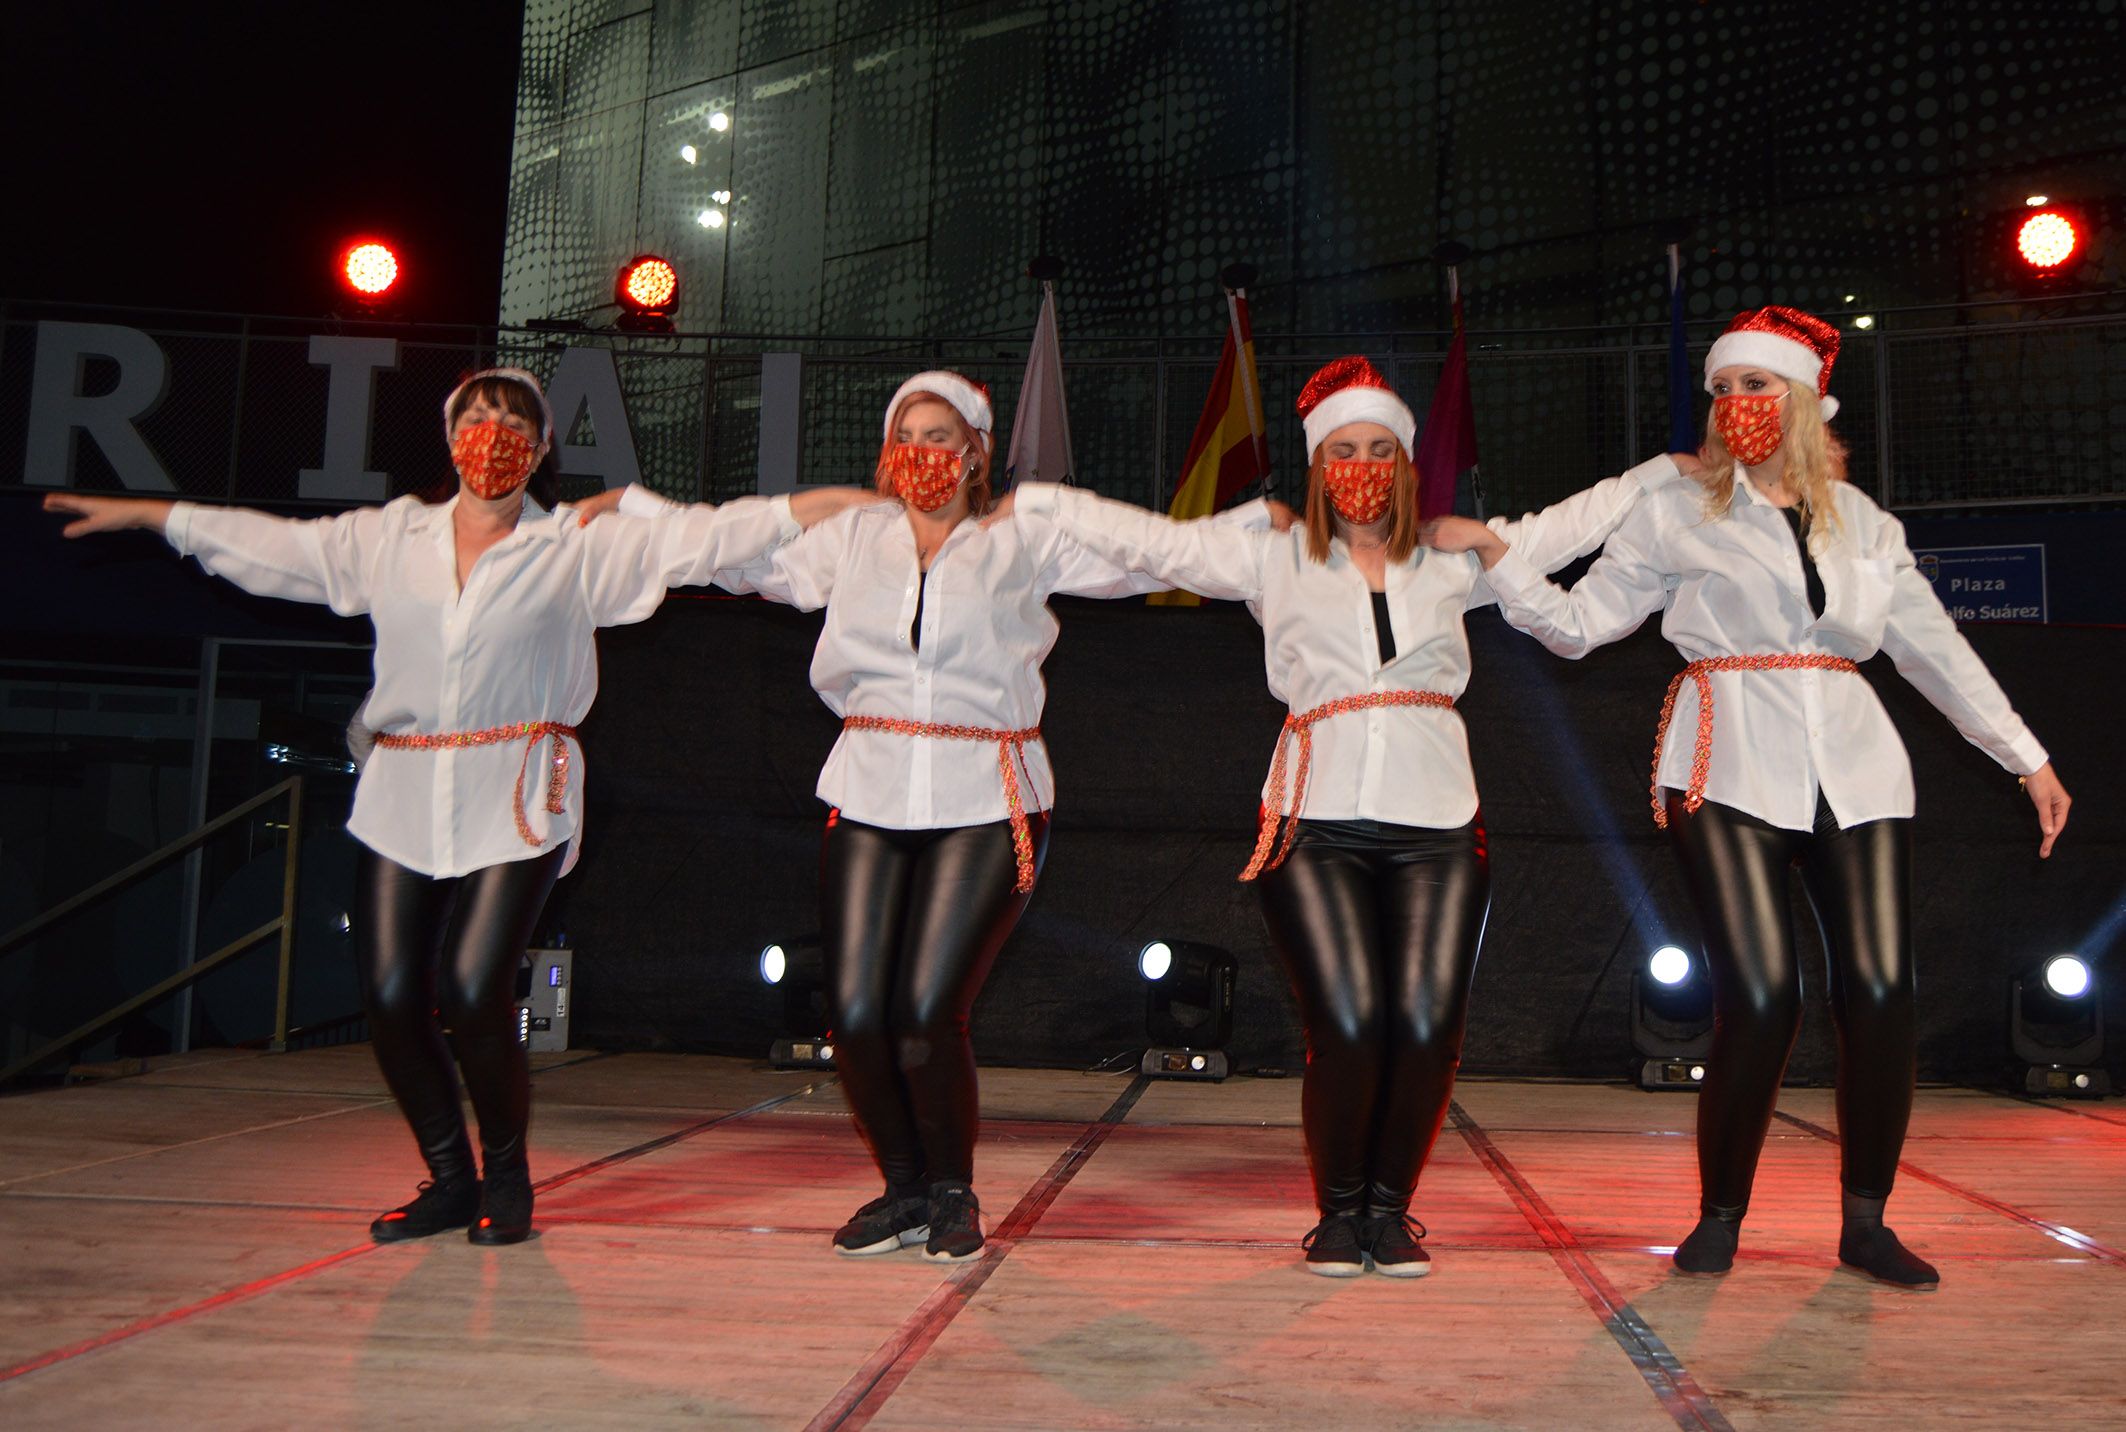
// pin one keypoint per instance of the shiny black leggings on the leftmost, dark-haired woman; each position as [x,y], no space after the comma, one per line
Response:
[443,955]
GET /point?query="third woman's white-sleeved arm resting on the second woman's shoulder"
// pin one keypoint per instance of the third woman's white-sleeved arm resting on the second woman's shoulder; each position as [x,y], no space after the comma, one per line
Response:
[1124,549]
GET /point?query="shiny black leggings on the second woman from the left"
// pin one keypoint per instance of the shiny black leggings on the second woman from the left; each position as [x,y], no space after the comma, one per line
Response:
[913,923]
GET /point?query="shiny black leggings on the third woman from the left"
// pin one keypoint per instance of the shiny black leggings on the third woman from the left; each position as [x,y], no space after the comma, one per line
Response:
[1379,927]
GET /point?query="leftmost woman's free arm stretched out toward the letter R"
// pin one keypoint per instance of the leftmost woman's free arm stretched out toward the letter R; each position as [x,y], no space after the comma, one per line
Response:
[299,560]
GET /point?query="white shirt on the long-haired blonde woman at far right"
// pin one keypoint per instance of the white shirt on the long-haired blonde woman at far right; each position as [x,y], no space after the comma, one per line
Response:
[1736,587]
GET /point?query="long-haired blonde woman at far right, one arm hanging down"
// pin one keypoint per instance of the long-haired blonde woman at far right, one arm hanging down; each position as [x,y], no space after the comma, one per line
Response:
[1776,579]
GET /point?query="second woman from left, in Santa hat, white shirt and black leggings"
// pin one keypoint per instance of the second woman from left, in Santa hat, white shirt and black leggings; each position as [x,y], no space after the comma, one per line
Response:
[939,789]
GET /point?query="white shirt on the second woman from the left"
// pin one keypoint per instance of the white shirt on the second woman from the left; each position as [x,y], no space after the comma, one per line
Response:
[985,634]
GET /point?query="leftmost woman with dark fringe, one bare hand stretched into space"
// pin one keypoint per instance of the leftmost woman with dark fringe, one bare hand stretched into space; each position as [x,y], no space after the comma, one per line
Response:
[467,813]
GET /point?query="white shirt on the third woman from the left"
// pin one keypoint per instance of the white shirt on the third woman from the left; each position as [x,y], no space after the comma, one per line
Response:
[1398,764]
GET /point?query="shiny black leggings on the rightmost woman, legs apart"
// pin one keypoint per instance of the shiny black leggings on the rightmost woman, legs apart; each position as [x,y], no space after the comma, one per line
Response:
[1859,883]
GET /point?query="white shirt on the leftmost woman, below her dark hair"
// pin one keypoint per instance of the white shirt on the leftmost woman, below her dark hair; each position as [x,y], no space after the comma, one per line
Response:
[513,647]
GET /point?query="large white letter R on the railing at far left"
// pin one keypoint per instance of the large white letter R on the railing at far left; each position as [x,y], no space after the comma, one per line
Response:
[58,407]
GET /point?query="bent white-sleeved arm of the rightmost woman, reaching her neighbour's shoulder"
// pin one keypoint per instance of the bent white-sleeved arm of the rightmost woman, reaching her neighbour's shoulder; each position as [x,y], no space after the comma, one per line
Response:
[1625,585]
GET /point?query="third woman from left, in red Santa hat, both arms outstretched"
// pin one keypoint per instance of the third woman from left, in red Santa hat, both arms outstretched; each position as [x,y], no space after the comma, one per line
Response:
[1374,876]
